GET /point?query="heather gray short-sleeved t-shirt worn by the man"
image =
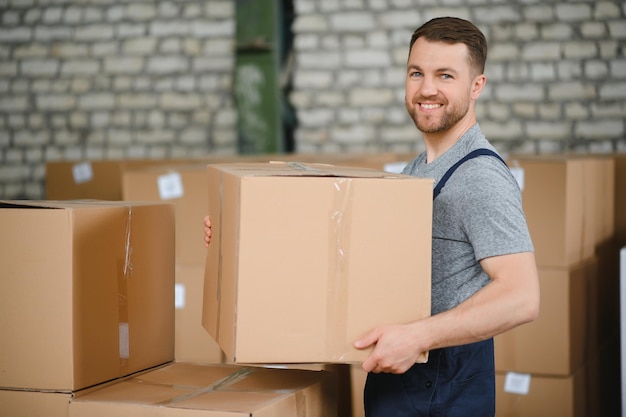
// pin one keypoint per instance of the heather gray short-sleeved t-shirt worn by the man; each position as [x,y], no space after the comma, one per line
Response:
[477,215]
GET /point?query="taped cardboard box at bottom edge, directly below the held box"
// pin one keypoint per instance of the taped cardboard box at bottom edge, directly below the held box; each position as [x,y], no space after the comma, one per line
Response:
[214,391]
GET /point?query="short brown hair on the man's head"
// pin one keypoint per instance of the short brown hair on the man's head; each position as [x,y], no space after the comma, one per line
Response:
[455,30]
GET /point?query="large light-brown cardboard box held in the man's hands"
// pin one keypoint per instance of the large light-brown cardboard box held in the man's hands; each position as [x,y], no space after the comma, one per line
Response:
[306,258]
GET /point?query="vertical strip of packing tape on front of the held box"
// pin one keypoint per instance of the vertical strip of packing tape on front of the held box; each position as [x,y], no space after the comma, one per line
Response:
[338,274]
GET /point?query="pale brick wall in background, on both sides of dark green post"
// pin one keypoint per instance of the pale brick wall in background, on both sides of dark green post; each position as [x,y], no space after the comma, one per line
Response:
[129,79]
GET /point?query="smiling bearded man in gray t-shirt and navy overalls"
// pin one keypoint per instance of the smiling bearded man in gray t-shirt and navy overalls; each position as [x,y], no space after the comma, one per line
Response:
[484,277]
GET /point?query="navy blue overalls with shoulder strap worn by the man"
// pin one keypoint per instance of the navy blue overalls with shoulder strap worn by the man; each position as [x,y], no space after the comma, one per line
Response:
[457,381]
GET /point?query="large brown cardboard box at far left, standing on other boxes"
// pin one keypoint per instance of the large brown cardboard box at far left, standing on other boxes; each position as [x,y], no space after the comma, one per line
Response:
[87,292]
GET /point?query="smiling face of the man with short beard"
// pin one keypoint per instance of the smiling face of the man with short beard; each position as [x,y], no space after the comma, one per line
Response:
[439,85]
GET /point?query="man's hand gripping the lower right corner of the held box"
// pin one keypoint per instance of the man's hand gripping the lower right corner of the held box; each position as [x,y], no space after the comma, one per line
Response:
[394,349]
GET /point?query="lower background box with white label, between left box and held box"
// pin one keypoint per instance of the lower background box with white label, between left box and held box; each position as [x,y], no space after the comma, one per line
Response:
[193,343]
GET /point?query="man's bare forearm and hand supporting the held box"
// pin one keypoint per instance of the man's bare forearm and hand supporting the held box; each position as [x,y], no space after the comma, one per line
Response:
[509,300]
